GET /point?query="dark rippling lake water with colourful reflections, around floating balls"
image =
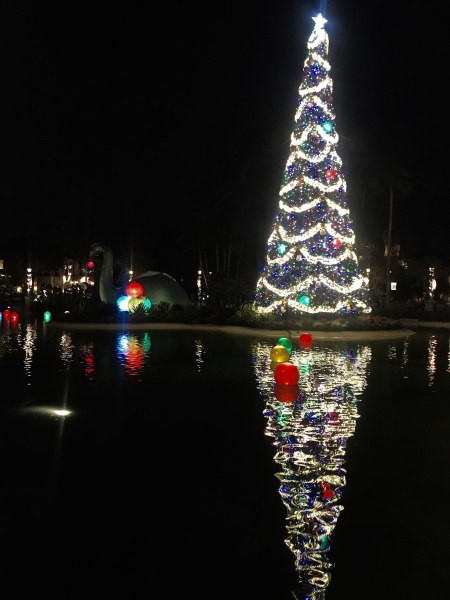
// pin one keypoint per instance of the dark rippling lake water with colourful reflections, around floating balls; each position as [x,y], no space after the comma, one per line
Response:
[176,465]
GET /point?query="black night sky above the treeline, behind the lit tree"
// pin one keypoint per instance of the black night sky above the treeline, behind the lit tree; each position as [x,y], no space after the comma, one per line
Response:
[165,122]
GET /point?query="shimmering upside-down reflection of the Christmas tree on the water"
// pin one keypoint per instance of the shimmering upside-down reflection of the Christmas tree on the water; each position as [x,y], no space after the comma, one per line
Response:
[310,436]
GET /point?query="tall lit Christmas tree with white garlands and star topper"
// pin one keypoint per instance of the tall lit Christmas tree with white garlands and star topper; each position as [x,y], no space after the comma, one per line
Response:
[311,264]
